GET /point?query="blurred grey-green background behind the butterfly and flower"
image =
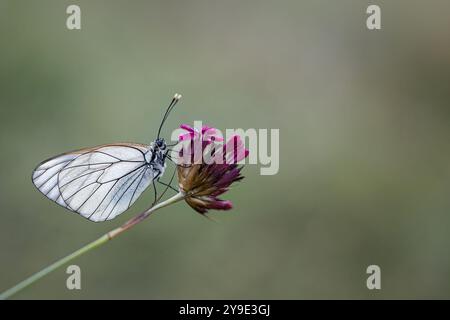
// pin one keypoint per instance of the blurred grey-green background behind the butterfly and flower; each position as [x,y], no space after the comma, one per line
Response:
[364,125]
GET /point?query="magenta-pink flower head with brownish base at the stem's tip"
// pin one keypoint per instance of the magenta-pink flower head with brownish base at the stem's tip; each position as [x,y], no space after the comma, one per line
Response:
[206,169]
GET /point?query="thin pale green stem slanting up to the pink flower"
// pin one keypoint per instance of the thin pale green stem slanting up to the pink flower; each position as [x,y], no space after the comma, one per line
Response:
[100,241]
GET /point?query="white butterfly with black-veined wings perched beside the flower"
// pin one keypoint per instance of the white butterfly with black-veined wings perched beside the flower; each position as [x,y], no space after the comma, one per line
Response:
[101,182]
